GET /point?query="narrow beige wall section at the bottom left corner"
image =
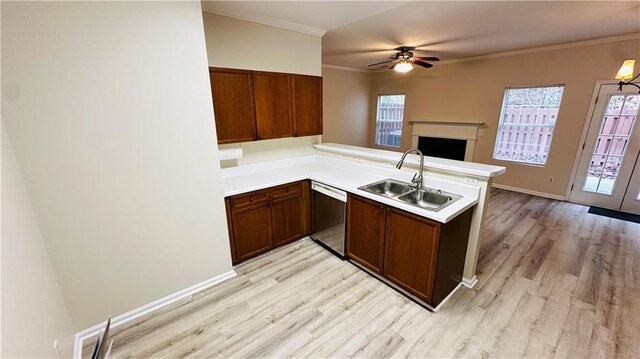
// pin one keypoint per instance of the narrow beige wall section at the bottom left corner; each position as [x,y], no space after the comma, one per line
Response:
[33,309]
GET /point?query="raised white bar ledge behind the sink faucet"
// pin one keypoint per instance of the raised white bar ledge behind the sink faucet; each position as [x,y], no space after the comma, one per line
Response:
[465,168]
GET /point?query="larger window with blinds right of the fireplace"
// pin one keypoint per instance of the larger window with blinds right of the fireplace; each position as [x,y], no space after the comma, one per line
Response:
[530,114]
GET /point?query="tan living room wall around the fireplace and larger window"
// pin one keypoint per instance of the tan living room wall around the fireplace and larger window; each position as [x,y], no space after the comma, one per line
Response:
[473,91]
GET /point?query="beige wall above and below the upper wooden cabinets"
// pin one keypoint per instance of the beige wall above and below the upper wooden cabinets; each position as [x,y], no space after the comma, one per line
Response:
[241,44]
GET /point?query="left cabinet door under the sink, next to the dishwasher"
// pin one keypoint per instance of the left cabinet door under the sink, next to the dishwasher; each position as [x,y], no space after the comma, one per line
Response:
[365,232]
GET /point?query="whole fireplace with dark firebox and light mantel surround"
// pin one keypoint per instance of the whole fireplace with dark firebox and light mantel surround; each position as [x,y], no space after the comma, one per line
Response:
[446,139]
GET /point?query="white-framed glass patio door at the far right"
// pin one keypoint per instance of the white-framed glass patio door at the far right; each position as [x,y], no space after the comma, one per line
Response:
[610,151]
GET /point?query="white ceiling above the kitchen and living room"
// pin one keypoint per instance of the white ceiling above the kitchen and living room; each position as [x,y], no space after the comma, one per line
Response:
[362,32]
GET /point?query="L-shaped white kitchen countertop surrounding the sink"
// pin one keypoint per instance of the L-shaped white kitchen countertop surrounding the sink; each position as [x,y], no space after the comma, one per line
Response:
[345,175]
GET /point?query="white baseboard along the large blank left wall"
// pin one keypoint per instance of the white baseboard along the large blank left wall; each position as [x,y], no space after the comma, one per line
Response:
[81,336]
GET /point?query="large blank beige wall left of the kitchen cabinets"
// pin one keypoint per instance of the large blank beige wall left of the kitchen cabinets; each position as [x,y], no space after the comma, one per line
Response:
[108,107]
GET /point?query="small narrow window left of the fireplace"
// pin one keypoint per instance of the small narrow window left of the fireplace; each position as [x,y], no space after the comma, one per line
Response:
[389,120]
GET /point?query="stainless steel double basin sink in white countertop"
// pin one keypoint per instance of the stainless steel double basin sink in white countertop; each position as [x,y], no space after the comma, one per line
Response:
[425,198]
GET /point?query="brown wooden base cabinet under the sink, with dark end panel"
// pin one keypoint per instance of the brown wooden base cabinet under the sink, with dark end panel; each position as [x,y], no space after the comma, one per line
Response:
[420,256]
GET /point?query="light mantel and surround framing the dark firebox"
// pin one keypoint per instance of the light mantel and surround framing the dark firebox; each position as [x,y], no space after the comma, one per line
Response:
[459,130]
